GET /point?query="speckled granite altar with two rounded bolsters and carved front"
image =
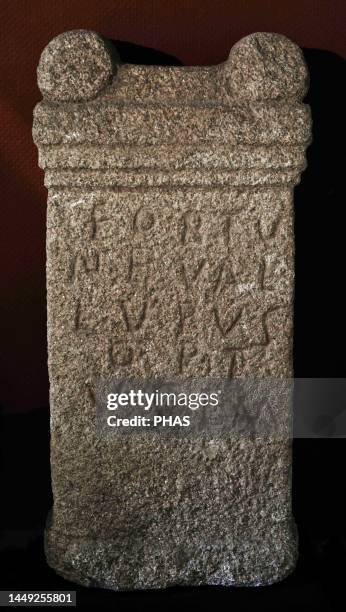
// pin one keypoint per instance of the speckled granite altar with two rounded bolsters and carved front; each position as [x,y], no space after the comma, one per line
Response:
[170,252]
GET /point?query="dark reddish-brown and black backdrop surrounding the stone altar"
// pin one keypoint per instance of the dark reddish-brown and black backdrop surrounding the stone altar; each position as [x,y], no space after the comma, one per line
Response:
[194,33]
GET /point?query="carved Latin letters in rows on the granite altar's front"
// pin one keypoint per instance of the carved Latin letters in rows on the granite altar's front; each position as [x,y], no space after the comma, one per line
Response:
[200,283]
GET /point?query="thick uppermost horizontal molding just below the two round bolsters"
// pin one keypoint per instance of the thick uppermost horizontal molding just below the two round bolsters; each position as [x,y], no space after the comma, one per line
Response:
[105,124]
